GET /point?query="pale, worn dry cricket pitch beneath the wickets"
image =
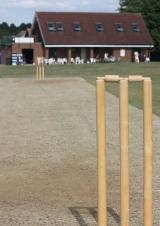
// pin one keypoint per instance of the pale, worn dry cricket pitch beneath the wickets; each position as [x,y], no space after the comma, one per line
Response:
[48,155]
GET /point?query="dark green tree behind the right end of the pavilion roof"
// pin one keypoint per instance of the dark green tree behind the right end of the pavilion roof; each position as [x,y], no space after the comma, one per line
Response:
[150,10]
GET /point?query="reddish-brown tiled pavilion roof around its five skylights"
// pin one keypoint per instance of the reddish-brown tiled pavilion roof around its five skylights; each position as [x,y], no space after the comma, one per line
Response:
[89,35]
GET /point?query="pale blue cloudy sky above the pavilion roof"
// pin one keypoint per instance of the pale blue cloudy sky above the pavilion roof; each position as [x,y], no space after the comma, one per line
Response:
[18,11]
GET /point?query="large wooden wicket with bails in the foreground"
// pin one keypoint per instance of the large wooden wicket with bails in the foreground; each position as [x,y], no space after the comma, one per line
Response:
[101,146]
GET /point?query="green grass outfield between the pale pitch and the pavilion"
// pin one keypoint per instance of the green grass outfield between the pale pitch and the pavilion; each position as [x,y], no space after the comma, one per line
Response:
[90,72]
